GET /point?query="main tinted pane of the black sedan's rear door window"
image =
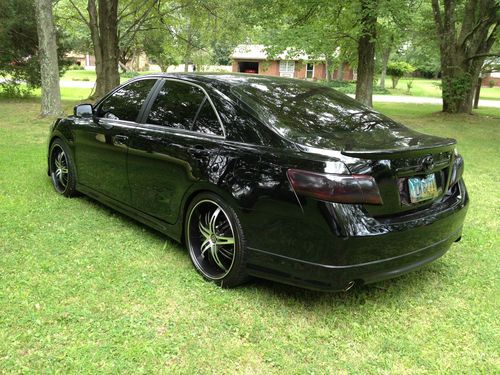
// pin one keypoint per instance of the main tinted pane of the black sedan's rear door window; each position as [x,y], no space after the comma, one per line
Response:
[176,105]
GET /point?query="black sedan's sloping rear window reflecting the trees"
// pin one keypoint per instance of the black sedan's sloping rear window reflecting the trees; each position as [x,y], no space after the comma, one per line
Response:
[299,109]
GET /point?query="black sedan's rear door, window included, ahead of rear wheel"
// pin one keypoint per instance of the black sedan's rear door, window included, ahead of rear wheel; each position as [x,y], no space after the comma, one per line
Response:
[174,146]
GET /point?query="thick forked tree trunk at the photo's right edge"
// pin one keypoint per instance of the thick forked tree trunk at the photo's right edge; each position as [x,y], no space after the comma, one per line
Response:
[466,32]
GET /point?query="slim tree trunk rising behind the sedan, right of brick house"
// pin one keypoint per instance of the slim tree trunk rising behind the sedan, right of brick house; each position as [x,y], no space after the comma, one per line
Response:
[366,52]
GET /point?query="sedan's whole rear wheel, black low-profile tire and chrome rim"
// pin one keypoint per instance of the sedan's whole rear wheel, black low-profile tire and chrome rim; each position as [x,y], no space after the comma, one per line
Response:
[211,230]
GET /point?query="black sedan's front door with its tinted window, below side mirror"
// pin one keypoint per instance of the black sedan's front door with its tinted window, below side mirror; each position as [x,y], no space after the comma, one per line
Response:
[101,144]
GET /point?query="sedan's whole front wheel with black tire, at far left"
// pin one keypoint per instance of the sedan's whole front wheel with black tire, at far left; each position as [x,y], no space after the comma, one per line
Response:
[62,169]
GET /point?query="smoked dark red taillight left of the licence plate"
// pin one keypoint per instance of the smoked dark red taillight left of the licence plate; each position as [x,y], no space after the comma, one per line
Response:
[338,188]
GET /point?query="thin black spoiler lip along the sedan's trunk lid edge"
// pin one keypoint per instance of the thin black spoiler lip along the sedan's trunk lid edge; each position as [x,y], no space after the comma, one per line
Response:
[397,153]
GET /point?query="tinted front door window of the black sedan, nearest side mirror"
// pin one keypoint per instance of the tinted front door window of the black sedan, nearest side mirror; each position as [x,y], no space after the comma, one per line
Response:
[126,103]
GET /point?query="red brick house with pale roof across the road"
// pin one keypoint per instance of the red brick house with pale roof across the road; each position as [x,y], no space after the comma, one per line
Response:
[253,59]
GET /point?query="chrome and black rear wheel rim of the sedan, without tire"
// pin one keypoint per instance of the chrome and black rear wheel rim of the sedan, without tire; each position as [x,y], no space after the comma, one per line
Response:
[211,239]
